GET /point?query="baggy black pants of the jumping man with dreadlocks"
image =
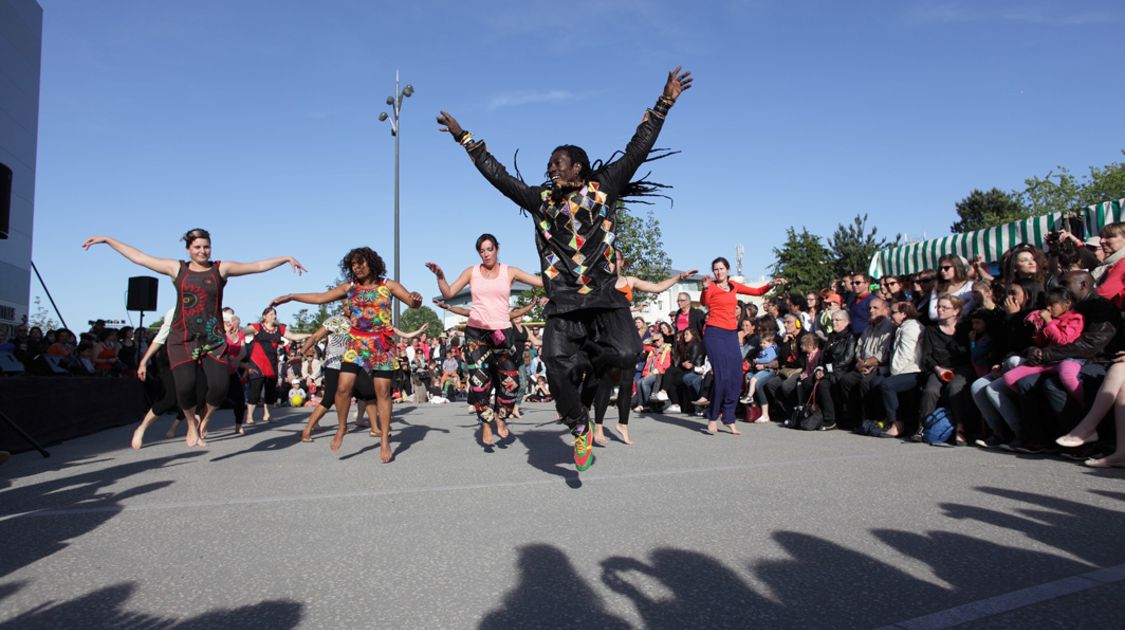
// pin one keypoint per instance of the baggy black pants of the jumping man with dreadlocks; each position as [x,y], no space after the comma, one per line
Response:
[588,344]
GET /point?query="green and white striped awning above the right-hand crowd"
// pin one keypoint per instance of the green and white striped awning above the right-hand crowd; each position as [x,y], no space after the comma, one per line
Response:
[989,244]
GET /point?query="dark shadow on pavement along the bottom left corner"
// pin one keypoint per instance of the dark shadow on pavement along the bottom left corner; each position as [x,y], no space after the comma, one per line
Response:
[105,608]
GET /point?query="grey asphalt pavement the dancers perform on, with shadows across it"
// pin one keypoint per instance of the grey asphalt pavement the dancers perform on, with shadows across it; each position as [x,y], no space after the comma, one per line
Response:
[772,529]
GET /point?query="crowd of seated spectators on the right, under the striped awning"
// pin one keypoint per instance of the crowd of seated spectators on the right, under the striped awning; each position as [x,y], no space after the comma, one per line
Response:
[1012,355]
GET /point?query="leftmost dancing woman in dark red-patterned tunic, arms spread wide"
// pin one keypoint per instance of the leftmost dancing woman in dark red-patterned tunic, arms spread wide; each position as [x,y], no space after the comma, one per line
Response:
[197,338]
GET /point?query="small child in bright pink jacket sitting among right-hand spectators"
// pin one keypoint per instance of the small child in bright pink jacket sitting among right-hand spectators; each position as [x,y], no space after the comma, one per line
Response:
[1055,326]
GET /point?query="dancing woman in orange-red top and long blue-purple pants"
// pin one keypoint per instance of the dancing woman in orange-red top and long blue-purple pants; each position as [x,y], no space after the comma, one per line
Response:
[722,341]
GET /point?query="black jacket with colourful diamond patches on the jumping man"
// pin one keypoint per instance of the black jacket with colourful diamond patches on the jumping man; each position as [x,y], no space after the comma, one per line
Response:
[575,235]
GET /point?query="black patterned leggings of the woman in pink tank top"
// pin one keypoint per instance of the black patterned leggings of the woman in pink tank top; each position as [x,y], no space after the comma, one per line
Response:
[490,365]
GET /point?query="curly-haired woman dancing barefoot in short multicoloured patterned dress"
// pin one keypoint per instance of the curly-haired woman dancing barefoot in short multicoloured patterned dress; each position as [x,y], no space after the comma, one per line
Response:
[371,339]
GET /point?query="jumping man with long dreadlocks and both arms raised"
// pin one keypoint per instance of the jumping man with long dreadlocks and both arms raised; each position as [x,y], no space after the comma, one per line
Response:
[589,328]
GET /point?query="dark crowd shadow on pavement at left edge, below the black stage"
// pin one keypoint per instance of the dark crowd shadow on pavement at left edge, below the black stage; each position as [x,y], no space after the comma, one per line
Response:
[39,519]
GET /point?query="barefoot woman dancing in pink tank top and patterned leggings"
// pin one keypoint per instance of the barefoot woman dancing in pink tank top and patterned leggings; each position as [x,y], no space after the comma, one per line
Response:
[490,353]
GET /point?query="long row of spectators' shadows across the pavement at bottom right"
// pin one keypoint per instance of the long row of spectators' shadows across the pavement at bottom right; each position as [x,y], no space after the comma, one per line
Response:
[820,583]
